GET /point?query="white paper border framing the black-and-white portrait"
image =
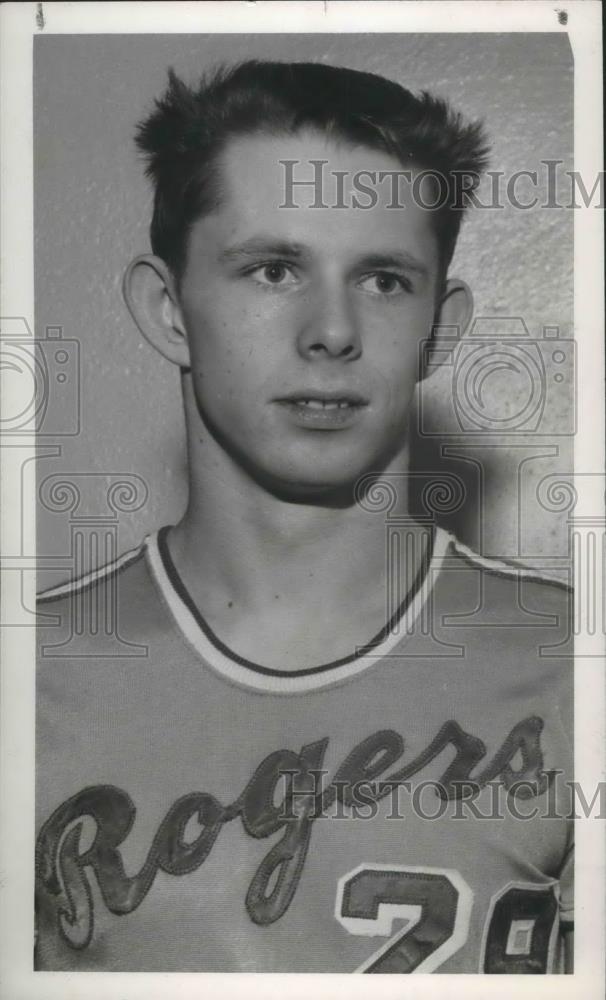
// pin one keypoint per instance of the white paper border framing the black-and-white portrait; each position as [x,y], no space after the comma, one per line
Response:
[20,23]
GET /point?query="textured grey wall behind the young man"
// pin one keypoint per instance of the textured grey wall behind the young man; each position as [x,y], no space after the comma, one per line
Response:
[92,210]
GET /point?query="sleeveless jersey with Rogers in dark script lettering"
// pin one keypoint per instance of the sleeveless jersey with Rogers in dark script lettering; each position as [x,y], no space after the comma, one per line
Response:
[403,810]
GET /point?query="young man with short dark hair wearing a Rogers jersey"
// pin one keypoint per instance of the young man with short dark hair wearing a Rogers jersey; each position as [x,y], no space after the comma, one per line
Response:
[293,779]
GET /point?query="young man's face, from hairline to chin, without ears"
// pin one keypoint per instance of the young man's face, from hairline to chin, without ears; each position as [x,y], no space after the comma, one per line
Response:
[304,323]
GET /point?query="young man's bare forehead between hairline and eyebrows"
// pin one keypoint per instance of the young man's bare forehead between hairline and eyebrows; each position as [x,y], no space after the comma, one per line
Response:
[346,202]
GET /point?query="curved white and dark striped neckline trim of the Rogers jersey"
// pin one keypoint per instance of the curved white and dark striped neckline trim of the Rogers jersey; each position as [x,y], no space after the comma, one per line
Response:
[238,669]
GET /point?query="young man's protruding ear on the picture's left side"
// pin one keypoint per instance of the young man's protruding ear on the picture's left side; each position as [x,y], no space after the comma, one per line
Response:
[150,294]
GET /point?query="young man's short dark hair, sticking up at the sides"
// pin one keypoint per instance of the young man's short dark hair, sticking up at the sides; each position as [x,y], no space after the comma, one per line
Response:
[188,129]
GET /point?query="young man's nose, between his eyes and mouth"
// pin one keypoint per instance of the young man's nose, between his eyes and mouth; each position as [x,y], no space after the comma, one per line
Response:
[329,326]
